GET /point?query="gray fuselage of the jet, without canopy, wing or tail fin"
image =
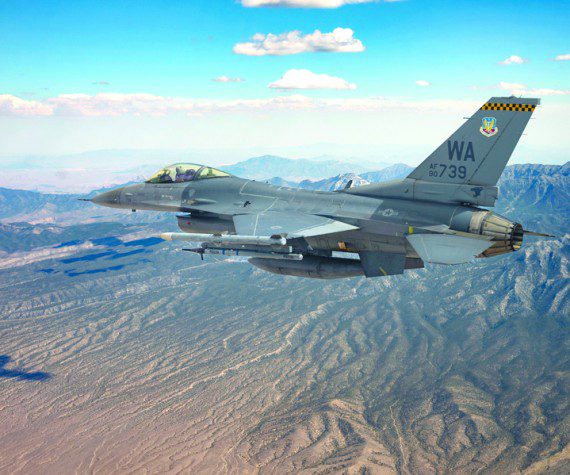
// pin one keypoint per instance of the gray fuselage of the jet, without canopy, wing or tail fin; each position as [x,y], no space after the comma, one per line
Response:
[383,222]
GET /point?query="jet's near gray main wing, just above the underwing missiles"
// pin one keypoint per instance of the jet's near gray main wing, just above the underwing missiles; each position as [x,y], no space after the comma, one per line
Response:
[291,225]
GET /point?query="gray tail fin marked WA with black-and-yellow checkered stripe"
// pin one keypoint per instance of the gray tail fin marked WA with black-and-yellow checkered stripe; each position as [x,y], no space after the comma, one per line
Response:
[477,153]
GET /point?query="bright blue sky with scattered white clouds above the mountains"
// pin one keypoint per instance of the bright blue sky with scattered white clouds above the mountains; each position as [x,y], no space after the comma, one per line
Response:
[275,76]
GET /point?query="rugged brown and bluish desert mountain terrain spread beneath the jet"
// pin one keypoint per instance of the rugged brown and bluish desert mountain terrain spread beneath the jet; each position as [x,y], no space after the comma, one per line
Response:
[121,353]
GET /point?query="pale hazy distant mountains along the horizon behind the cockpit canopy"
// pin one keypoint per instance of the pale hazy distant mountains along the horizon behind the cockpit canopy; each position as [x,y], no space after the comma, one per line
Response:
[83,172]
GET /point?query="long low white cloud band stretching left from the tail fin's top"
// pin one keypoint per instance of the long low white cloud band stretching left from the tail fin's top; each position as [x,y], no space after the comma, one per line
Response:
[110,105]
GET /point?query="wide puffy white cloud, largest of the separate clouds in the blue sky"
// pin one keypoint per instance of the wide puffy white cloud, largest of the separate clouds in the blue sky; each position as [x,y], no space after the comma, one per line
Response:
[340,40]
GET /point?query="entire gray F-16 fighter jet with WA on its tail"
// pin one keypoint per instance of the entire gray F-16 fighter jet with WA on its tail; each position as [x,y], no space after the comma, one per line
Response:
[434,215]
